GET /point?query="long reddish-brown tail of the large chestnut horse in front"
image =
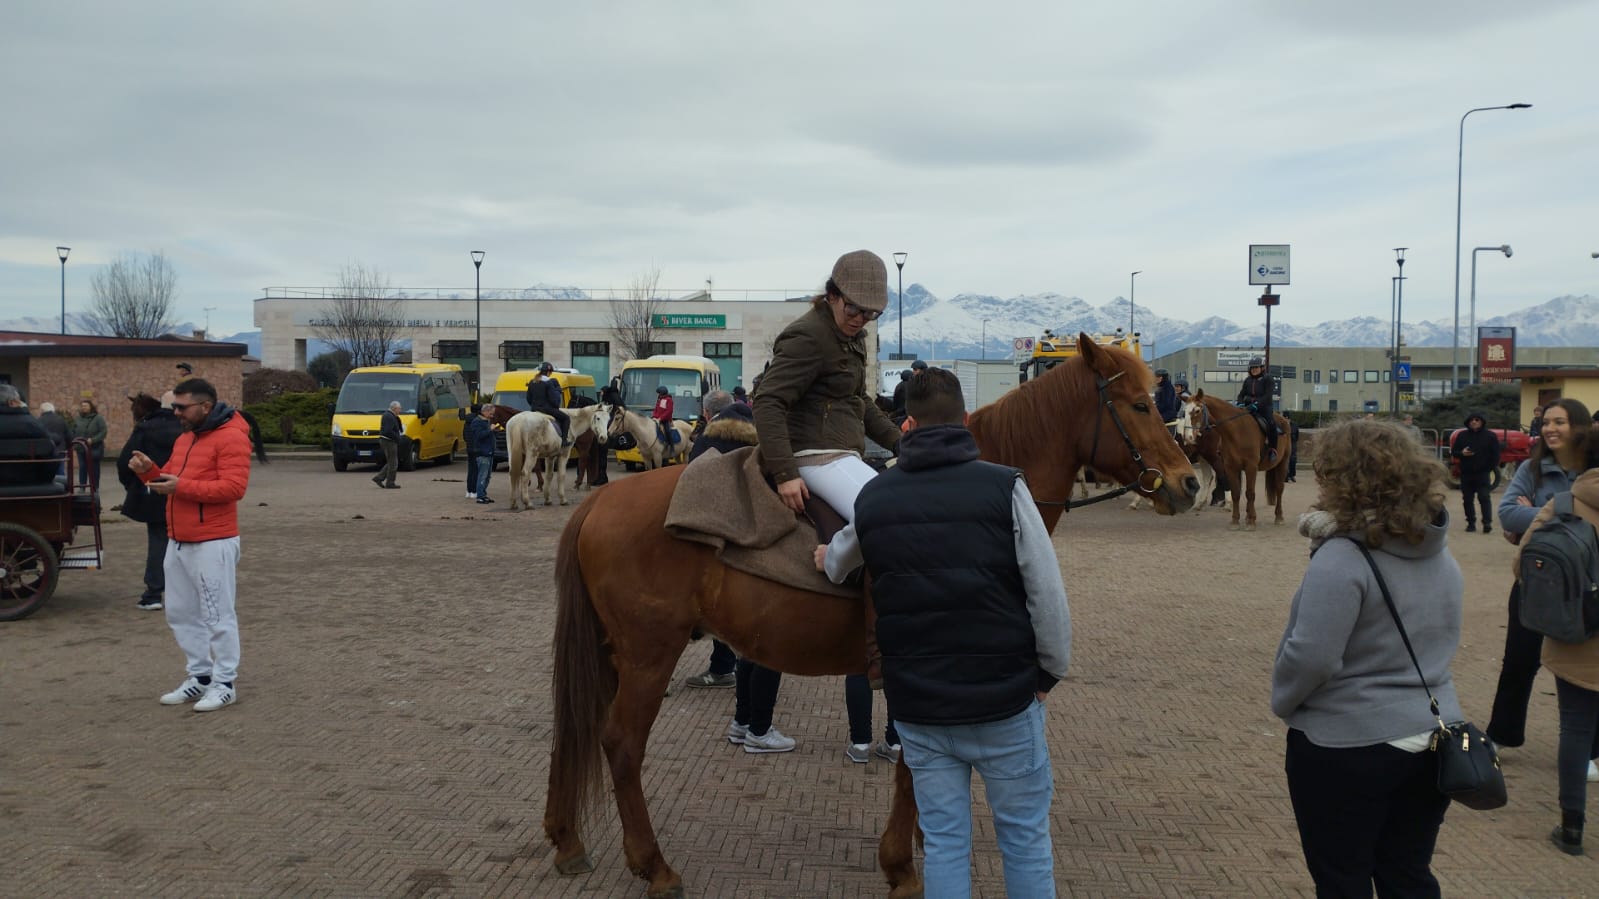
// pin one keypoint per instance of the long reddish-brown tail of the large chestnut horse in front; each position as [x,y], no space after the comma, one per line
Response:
[584,685]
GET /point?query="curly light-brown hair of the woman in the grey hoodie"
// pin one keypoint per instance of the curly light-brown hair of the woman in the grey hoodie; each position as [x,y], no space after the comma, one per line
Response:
[1378,481]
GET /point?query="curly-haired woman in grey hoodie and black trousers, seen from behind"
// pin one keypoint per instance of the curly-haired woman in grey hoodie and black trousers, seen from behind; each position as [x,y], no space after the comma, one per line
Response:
[1360,773]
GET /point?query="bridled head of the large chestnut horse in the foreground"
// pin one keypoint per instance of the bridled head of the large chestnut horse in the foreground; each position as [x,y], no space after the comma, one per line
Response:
[1130,441]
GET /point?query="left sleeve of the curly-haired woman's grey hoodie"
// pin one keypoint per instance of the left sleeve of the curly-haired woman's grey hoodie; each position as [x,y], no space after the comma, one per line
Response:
[1322,621]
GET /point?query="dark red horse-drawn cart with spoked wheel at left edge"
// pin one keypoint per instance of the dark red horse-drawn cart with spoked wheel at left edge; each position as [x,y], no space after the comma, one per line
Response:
[39,530]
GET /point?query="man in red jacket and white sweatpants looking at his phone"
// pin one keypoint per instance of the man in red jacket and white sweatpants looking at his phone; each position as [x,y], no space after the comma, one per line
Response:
[202,482]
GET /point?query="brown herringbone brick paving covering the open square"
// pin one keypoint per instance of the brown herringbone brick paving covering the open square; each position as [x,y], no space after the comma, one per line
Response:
[393,732]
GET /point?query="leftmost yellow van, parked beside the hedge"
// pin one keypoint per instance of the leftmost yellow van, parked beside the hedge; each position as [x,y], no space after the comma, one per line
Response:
[433,412]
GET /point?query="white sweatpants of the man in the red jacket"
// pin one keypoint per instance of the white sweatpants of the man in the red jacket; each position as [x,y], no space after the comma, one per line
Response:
[201,605]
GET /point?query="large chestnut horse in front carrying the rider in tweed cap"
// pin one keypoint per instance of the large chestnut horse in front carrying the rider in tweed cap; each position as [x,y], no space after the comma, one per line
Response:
[631,599]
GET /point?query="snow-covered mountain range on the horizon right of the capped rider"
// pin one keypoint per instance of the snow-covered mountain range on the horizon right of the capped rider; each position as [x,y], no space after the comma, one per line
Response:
[954,329]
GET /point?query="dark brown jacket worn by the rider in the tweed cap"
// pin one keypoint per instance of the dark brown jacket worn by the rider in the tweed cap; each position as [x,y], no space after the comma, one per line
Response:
[815,396]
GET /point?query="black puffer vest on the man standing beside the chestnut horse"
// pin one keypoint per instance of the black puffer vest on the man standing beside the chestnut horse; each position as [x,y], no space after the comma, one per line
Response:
[938,535]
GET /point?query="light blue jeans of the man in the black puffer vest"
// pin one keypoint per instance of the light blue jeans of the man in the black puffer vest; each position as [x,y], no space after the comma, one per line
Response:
[1015,762]
